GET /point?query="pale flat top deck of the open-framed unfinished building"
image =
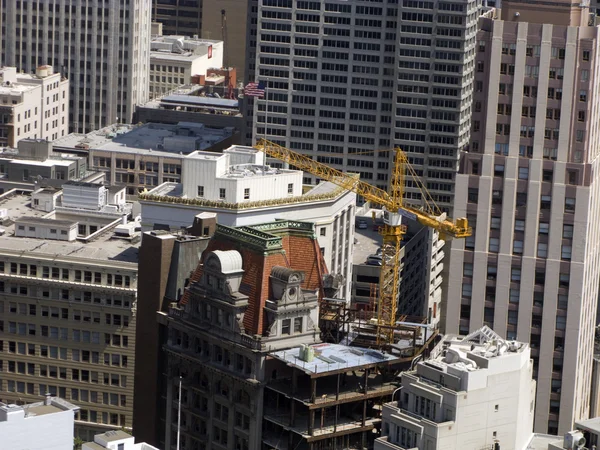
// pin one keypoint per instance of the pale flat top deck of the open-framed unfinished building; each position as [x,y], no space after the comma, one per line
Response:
[331,357]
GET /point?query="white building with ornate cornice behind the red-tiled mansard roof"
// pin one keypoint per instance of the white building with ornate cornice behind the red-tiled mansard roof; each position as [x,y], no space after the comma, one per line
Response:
[243,190]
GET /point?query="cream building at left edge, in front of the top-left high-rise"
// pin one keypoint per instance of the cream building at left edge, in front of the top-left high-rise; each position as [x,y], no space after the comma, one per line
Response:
[32,106]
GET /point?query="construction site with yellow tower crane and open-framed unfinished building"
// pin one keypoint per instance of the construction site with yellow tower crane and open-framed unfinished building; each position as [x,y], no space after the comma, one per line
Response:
[330,395]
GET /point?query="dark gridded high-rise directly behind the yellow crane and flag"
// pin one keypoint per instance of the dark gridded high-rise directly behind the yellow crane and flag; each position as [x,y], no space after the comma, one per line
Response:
[346,79]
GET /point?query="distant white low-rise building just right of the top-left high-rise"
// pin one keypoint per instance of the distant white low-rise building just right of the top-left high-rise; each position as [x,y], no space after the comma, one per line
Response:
[175,59]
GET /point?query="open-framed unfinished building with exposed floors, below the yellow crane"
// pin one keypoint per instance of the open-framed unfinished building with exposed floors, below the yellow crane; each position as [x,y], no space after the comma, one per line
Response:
[327,396]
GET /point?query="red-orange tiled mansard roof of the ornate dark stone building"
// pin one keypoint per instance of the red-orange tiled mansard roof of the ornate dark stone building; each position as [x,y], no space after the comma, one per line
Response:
[298,251]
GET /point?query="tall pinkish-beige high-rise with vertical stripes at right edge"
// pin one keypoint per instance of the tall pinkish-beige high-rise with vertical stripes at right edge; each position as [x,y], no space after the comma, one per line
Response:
[529,187]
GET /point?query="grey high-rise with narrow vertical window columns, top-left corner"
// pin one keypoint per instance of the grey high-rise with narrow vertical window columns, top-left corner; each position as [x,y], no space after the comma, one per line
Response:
[101,46]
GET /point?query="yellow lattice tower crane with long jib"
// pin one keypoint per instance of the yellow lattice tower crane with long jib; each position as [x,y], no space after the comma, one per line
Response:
[392,231]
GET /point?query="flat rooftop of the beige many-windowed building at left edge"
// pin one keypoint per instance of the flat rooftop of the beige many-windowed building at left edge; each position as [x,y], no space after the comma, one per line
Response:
[102,248]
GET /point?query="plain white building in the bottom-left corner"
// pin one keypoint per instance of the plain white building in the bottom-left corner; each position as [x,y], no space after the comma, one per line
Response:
[46,425]
